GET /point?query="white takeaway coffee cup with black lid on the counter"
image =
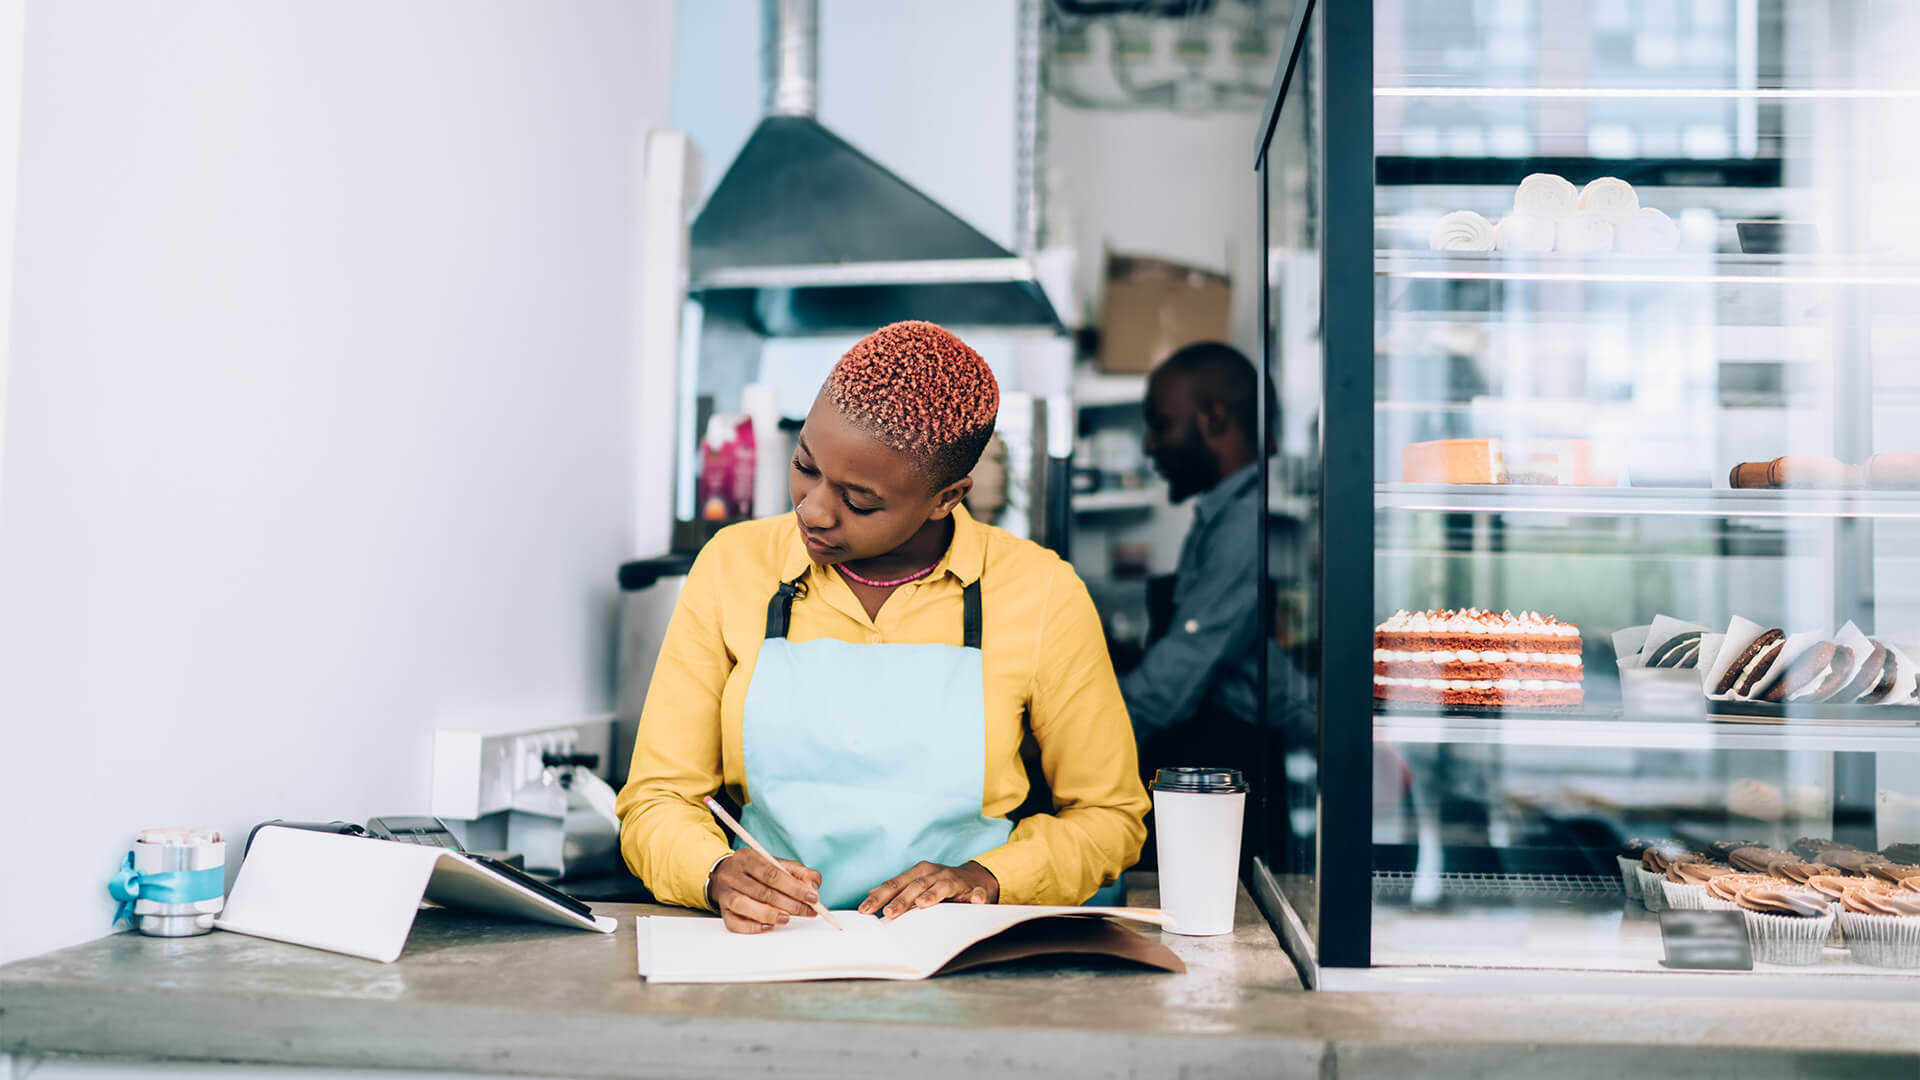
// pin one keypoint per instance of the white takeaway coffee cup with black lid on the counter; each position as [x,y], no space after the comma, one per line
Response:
[1197,823]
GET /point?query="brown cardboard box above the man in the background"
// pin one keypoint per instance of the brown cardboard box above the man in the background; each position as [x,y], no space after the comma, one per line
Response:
[1153,307]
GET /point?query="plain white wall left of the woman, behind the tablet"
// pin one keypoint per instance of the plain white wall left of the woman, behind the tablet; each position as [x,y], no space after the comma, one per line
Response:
[316,430]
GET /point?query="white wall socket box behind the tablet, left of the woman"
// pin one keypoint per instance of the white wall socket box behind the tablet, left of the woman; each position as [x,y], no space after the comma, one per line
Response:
[481,773]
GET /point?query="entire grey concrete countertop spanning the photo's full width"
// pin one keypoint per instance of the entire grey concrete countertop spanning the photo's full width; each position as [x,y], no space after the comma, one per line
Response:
[485,996]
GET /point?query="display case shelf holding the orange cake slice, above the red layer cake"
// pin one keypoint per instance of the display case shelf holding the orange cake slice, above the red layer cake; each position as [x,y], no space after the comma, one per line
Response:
[1648,503]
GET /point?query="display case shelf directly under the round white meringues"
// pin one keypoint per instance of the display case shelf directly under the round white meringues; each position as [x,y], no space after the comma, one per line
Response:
[1646,270]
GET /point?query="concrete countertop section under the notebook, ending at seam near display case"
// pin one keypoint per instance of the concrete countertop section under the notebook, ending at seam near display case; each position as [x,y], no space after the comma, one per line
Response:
[489,996]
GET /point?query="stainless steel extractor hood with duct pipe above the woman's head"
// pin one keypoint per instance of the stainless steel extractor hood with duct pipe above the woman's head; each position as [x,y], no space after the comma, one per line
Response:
[815,237]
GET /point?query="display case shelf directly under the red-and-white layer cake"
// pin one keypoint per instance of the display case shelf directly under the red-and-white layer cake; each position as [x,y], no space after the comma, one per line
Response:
[1614,729]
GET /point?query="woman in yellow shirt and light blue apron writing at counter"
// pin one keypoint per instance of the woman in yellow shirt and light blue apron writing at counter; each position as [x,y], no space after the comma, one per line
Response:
[861,675]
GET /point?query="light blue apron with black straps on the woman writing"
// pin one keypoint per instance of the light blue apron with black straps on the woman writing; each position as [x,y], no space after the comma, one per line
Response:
[865,760]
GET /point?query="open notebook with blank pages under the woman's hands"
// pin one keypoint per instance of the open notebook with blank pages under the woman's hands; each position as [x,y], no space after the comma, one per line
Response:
[932,941]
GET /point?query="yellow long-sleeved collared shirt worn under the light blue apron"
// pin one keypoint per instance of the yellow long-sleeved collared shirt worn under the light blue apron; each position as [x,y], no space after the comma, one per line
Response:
[1045,670]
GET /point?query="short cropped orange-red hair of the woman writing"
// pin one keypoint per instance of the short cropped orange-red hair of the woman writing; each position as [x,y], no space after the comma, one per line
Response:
[921,391]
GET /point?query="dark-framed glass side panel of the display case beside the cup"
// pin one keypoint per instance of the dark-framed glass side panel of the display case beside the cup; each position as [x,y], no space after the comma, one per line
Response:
[1316,218]
